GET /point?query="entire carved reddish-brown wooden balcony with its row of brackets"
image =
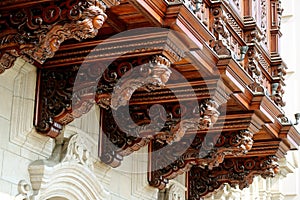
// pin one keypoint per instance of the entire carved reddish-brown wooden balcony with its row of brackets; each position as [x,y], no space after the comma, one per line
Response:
[212,66]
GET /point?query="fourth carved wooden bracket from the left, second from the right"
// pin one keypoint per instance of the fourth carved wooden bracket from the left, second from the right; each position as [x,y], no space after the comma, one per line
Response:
[204,151]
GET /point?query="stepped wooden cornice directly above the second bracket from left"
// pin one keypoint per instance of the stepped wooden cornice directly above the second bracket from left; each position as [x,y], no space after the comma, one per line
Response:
[139,42]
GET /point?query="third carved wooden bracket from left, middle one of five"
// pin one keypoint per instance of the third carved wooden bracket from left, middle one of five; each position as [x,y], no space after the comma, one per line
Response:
[121,136]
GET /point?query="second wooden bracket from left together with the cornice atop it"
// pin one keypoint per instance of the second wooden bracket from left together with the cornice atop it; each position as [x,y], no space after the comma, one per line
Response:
[104,78]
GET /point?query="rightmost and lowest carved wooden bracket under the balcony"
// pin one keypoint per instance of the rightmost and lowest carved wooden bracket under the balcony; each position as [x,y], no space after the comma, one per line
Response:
[236,171]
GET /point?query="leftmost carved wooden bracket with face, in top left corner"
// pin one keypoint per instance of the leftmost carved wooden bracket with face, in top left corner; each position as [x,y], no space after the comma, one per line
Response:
[38,31]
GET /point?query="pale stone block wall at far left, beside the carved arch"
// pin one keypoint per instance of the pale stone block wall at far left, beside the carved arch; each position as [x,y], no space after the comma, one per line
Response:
[19,145]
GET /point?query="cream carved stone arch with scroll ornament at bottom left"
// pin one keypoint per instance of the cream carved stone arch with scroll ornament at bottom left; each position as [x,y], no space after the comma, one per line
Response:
[68,173]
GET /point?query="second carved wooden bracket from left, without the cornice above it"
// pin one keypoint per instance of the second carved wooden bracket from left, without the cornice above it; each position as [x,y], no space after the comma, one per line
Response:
[69,93]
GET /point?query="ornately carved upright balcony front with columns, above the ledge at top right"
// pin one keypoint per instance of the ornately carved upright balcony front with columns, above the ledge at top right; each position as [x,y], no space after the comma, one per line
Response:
[240,25]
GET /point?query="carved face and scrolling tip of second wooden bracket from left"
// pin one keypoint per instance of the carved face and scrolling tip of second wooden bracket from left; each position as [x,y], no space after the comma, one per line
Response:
[149,76]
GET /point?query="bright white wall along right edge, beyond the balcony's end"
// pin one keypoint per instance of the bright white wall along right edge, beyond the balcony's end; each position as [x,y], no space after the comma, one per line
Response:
[290,53]
